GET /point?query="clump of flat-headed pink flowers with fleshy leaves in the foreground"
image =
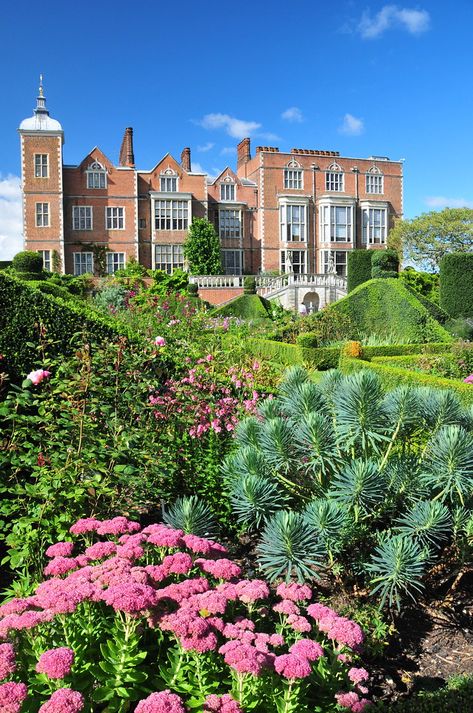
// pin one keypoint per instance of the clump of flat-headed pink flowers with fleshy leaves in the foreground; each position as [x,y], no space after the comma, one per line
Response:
[154,609]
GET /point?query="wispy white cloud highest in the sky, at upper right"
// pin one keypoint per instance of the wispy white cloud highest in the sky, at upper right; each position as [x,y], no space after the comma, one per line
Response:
[392,16]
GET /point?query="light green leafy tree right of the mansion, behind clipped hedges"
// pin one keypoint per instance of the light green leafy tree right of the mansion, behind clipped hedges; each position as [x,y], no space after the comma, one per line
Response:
[430,236]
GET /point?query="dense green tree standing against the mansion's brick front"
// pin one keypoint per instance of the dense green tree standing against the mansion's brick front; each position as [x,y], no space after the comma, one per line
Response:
[202,248]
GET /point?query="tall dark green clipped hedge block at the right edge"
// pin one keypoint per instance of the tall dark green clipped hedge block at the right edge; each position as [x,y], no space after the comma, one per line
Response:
[456,284]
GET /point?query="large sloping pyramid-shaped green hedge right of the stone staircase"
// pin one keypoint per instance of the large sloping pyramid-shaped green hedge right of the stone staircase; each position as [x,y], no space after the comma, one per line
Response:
[386,306]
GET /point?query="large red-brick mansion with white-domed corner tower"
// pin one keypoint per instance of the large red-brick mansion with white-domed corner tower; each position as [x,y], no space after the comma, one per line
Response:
[299,211]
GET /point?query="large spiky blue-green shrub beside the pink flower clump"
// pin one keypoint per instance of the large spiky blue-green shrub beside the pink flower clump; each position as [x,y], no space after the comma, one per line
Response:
[385,474]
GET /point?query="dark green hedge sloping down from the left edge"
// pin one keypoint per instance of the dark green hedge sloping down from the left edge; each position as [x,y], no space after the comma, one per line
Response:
[24,309]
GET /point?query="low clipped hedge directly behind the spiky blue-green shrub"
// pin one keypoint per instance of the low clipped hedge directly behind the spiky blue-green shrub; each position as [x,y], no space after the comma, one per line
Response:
[392,376]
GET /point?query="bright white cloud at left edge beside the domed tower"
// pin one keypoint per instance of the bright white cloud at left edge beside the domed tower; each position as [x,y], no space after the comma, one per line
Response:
[11,221]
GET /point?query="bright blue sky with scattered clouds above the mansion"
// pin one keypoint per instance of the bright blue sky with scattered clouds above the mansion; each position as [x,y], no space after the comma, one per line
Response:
[380,78]
